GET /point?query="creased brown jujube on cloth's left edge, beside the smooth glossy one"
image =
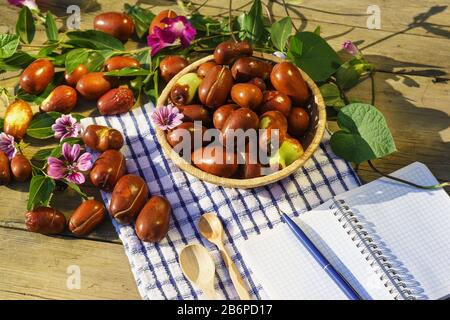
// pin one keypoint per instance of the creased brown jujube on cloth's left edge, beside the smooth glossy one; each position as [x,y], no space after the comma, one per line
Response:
[128,198]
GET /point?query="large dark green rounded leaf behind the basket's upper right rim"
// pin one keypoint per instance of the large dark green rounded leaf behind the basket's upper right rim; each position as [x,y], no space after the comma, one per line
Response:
[316,58]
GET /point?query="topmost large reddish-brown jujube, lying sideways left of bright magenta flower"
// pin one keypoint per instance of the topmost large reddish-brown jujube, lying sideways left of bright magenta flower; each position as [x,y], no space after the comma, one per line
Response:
[116,24]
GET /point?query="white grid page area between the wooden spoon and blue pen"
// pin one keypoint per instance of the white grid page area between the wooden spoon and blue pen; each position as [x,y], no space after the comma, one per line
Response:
[285,268]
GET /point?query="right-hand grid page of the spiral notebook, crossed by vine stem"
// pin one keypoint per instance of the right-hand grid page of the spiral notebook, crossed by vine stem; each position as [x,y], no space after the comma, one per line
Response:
[413,224]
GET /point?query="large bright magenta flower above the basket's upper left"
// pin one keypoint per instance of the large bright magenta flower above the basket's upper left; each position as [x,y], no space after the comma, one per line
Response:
[177,28]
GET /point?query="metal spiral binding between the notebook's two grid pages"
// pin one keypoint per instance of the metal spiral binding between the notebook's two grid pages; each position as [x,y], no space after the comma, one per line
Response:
[393,278]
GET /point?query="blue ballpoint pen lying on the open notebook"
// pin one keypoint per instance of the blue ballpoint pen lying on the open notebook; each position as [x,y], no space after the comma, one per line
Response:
[330,270]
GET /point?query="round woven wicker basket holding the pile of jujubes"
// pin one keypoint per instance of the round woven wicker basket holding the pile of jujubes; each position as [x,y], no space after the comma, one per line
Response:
[310,141]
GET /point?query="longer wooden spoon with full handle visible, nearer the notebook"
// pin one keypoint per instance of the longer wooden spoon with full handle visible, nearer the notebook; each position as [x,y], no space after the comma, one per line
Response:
[211,228]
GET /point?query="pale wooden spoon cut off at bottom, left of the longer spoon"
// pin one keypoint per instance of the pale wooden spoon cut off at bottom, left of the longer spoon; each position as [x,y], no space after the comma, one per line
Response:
[198,266]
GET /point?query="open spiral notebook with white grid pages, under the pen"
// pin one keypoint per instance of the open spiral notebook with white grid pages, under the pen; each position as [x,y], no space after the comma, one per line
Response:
[389,240]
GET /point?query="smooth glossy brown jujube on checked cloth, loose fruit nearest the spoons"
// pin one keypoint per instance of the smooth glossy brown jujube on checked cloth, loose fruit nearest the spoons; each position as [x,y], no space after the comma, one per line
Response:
[152,224]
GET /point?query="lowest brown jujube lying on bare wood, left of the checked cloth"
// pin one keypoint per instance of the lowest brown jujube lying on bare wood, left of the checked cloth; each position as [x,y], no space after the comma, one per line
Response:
[86,217]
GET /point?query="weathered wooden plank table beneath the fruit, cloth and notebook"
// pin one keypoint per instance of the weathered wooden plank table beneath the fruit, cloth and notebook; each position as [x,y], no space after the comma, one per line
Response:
[411,52]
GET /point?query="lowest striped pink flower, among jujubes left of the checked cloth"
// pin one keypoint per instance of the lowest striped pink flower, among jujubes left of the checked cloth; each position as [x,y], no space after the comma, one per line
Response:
[72,166]
